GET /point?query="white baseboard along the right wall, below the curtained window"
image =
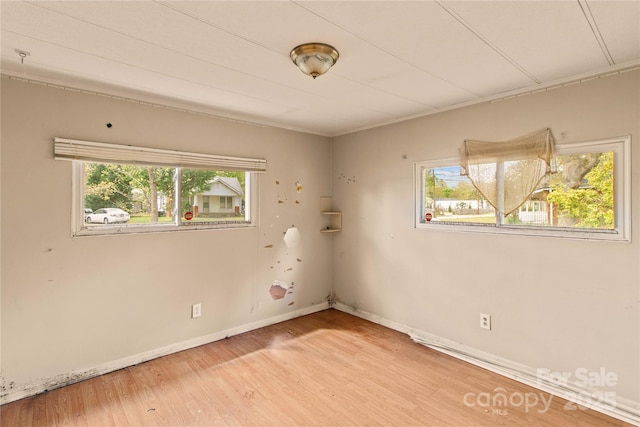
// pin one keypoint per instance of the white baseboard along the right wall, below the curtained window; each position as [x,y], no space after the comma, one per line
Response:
[623,409]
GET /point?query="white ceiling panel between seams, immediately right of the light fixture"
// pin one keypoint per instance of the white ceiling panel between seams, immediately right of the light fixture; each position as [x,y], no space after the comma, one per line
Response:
[430,39]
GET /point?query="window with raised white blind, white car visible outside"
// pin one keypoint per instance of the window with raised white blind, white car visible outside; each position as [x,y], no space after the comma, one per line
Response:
[134,189]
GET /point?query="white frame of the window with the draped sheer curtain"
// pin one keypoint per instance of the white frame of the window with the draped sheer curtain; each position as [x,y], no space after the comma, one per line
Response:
[620,146]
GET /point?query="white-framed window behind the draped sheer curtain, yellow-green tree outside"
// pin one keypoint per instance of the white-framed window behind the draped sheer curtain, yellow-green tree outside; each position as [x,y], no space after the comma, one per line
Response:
[587,195]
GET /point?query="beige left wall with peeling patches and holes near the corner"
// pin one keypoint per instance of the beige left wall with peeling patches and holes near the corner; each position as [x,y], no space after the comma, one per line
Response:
[72,304]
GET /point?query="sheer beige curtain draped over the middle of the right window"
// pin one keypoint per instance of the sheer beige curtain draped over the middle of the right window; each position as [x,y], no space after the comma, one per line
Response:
[506,173]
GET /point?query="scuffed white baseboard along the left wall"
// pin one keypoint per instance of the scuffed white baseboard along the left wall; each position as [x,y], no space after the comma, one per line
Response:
[20,392]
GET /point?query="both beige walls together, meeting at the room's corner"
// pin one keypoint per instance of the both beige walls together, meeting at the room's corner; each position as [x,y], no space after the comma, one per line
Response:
[70,304]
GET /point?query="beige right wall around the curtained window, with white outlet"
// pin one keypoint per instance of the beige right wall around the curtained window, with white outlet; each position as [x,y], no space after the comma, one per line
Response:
[558,304]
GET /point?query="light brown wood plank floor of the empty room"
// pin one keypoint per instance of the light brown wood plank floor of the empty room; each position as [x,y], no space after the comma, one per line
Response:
[325,369]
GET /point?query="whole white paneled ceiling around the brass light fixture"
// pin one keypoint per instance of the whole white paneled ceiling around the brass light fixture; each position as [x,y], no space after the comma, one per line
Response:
[398,59]
